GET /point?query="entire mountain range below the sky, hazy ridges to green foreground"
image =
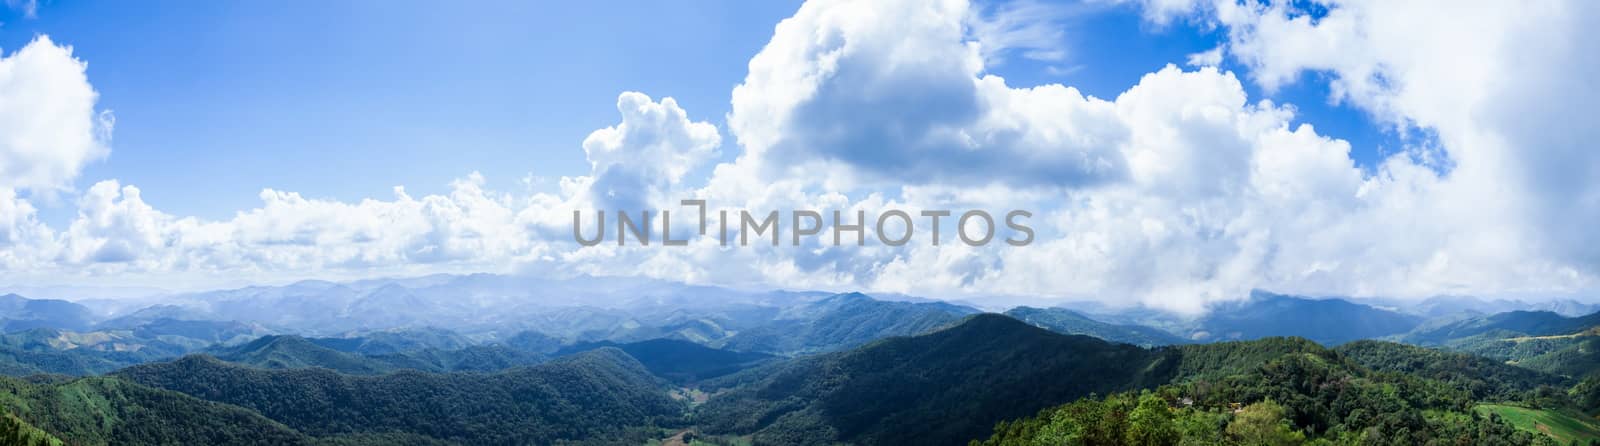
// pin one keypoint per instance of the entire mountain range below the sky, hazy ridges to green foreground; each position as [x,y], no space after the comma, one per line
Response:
[641,362]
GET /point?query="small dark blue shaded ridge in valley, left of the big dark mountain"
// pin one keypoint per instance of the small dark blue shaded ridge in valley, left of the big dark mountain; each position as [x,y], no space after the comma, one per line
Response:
[681,362]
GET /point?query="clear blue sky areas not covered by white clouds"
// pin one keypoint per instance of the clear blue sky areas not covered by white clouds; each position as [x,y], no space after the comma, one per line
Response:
[220,100]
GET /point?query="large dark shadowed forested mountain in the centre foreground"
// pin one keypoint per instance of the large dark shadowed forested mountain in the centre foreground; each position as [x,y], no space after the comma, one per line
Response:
[943,388]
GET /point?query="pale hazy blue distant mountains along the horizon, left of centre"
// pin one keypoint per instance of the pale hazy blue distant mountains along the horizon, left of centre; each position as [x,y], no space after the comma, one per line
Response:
[574,309]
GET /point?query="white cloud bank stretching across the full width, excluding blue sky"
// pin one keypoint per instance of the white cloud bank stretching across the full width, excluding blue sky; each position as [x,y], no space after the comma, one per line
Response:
[1177,193]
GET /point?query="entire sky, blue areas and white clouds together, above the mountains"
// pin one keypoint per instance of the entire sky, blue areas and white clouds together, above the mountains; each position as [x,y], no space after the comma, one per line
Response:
[1174,153]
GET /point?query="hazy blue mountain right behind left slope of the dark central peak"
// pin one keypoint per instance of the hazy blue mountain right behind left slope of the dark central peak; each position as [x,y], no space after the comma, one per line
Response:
[844,322]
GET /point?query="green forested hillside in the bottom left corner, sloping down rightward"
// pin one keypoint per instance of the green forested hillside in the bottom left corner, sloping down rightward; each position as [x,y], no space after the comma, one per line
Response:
[113,412]
